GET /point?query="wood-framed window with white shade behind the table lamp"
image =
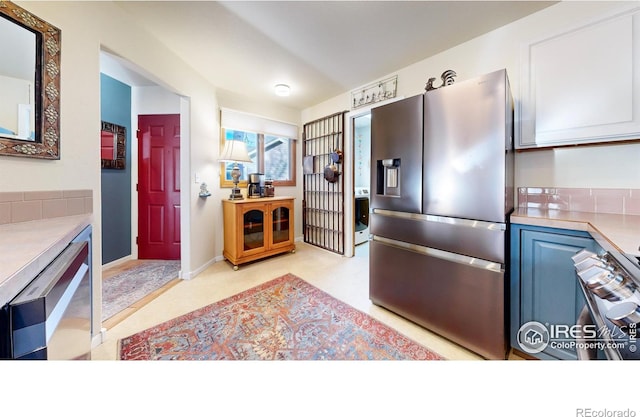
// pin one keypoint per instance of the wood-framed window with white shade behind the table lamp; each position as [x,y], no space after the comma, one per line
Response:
[272,154]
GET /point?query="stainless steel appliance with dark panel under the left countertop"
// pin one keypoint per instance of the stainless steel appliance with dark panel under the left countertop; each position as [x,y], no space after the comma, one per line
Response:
[51,317]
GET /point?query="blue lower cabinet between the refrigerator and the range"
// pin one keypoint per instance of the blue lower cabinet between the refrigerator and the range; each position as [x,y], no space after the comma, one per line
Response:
[545,296]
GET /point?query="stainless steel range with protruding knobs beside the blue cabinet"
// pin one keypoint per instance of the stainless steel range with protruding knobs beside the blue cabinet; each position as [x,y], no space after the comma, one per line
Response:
[607,326]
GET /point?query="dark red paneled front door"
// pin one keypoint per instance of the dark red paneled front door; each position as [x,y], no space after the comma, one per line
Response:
[159,186]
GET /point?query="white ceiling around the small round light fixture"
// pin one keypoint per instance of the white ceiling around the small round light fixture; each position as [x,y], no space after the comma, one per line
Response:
[319,48]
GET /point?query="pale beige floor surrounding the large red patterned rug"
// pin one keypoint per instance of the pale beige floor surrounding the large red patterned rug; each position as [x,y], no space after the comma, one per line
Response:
[343,278]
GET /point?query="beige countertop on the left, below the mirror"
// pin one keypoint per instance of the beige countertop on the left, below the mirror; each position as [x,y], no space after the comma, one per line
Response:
[26,248]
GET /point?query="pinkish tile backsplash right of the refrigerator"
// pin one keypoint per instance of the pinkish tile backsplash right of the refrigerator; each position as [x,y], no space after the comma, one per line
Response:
[592,200]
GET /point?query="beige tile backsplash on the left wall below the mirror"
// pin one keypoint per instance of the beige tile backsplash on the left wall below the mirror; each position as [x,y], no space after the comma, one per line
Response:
[25,206]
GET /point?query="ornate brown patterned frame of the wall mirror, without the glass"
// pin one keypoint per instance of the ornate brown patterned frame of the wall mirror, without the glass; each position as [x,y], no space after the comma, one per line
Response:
[47,88]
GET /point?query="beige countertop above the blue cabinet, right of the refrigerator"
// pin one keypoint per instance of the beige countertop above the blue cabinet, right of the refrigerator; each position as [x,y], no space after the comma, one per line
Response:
[620,231]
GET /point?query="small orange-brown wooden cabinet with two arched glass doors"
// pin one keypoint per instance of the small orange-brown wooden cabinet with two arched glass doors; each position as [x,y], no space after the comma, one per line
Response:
[257,228]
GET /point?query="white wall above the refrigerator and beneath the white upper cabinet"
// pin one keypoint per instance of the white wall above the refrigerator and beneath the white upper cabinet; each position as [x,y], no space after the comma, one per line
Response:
[609,166]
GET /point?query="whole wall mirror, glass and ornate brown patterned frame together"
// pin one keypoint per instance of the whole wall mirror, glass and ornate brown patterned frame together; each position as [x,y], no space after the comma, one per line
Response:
[30,84]
